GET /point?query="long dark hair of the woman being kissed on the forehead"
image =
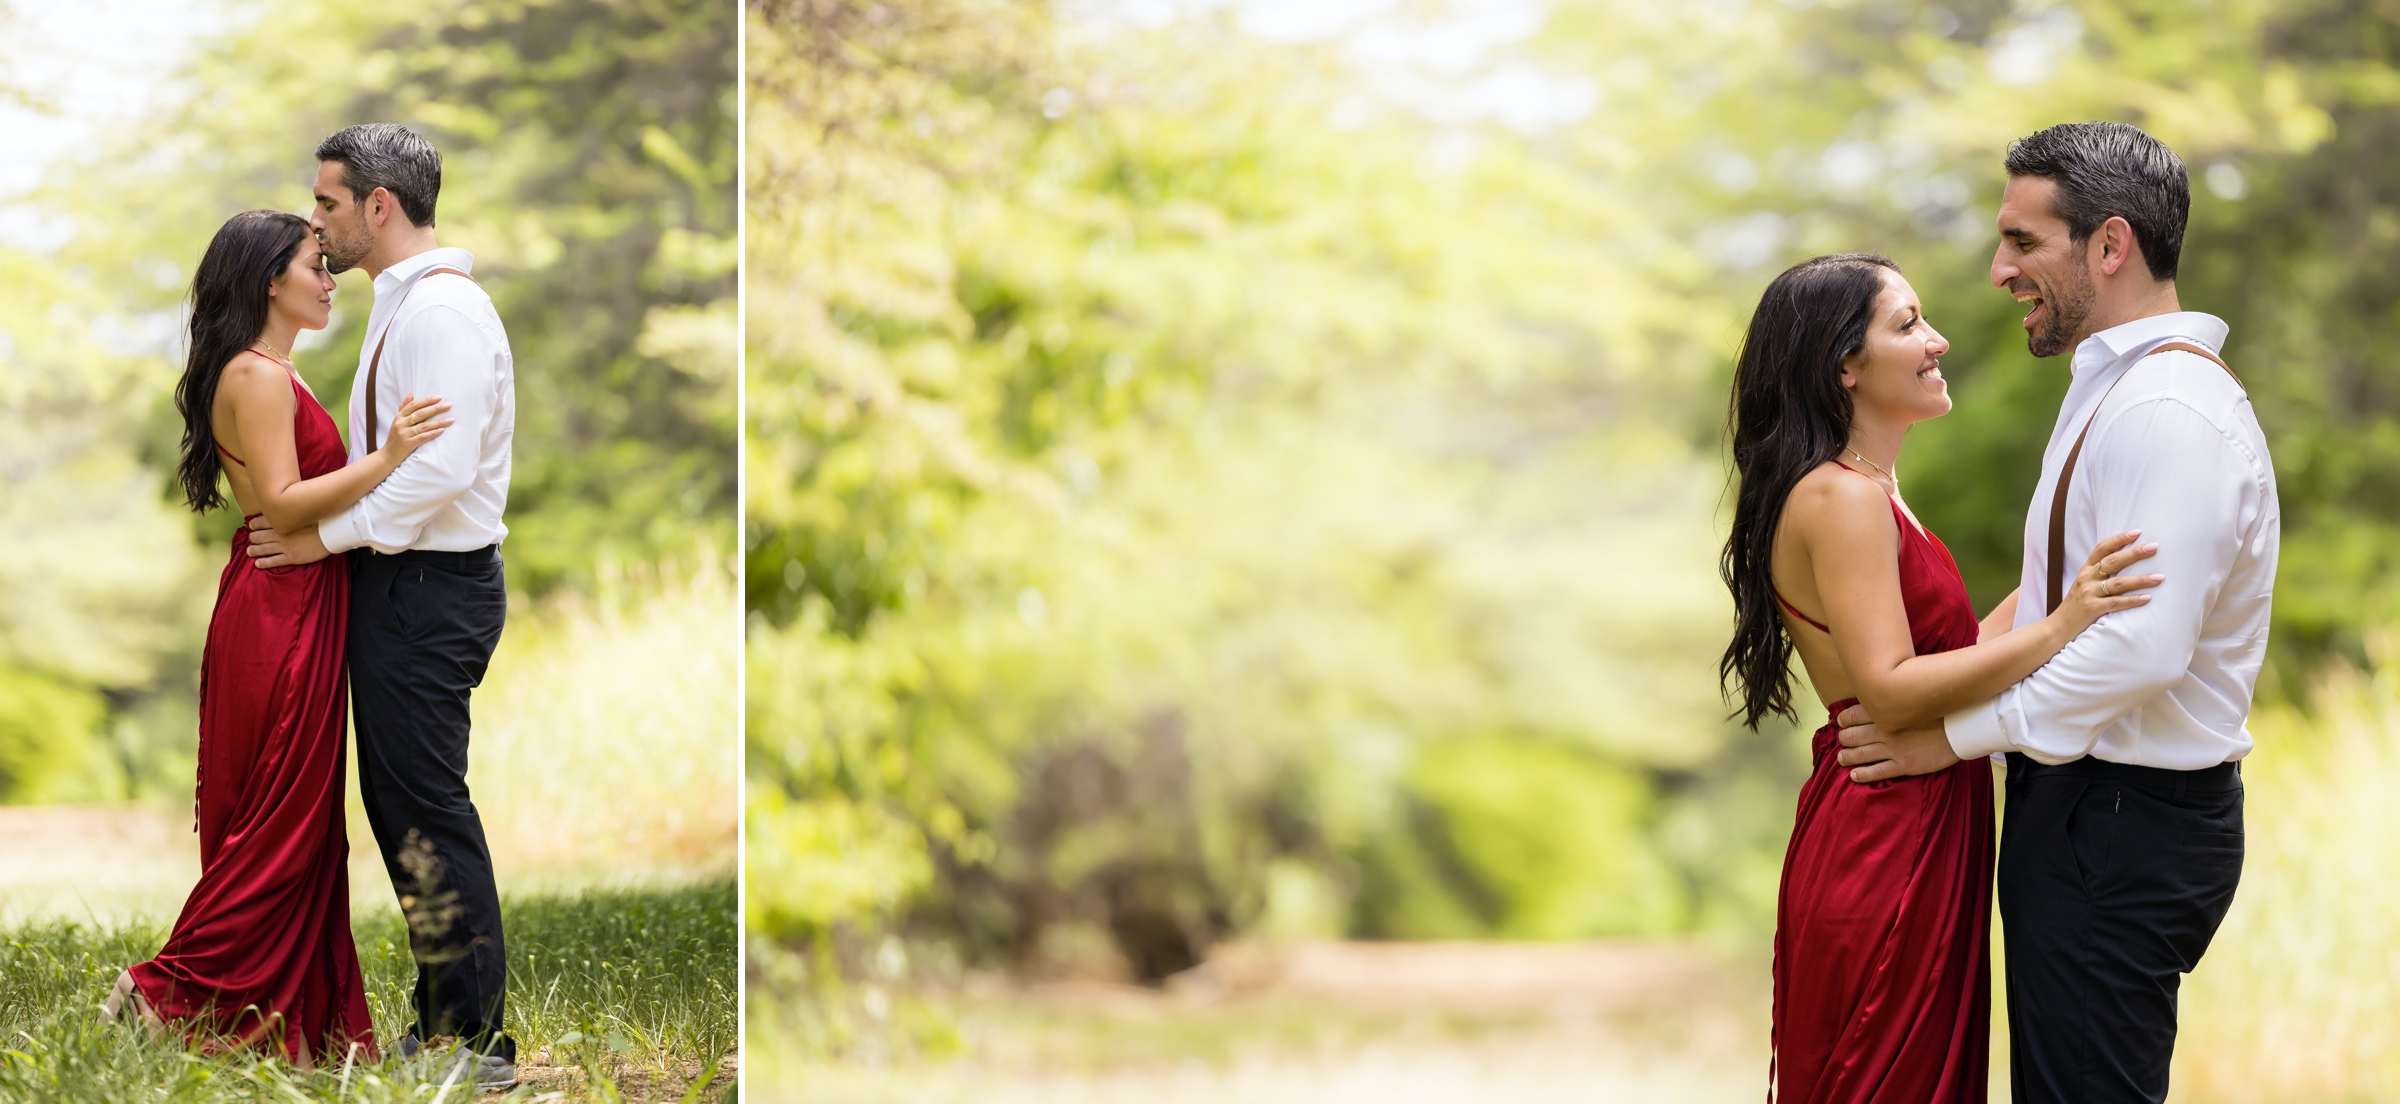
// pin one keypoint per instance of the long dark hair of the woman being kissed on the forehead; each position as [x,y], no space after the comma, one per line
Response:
[229,313]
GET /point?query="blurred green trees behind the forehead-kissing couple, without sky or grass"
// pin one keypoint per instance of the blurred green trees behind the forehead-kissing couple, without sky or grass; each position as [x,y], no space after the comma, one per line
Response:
[589,164]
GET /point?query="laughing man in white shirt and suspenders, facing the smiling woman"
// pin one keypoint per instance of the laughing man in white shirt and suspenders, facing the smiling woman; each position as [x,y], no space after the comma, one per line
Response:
[2123,836]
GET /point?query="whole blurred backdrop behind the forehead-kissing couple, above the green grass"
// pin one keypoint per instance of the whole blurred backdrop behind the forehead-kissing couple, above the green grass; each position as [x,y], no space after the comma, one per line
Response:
[589,152]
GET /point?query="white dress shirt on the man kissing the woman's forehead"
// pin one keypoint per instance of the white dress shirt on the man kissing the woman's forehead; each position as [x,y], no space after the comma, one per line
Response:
[445,340]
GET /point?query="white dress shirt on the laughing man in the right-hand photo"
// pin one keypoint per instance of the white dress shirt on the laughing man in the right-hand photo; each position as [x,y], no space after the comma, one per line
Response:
[2178,455]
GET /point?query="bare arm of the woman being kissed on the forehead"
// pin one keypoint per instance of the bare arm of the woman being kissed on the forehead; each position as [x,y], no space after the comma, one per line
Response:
[260,400]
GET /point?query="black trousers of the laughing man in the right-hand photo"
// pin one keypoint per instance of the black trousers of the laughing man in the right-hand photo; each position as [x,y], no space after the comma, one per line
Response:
[2113,880]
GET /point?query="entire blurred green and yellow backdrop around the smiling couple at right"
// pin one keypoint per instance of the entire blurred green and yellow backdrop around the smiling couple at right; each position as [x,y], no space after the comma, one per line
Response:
[1235,498]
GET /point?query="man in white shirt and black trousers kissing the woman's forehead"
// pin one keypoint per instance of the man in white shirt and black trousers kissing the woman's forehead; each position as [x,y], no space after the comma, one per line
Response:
[426,584]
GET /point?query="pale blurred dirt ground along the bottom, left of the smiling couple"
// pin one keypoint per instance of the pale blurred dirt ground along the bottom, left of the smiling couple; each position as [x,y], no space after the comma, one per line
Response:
[1336,1024]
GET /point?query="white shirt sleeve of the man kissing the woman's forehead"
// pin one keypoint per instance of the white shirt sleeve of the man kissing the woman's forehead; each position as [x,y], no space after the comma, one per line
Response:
[452,359]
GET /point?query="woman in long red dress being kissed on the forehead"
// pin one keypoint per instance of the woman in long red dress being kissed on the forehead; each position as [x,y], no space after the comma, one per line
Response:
[263,949]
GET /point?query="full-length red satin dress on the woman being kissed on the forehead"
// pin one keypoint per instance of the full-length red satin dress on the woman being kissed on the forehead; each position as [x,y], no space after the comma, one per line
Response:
[263,949]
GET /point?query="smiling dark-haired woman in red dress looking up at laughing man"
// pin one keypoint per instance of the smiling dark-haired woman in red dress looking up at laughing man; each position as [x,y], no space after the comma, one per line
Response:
[1883,968]
